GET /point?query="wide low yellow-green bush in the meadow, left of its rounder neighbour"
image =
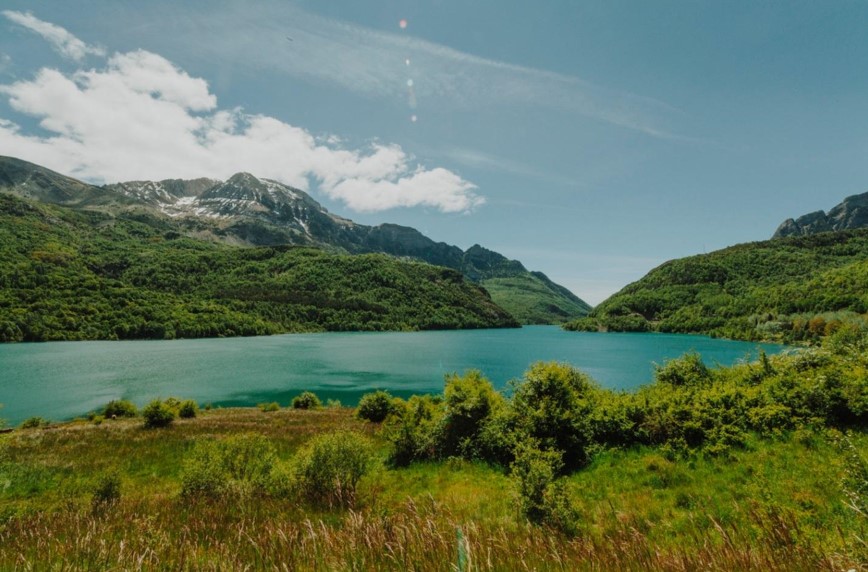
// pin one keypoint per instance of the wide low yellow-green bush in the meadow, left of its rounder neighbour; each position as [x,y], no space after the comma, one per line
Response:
[238,465]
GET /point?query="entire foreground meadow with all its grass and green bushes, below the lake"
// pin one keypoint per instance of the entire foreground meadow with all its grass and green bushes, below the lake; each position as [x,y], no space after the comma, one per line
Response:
[759,466]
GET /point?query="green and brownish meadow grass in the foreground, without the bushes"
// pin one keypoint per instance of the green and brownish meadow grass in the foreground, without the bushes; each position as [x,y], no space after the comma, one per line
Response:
[777,504]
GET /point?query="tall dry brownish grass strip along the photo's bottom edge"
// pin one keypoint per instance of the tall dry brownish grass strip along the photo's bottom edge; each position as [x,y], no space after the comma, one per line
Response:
[166,534]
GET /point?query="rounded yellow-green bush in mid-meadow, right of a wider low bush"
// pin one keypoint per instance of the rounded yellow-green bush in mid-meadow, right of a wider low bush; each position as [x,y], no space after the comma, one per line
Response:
[328,469]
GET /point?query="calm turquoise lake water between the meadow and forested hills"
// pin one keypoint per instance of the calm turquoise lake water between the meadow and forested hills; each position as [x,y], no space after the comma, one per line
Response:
[62,380]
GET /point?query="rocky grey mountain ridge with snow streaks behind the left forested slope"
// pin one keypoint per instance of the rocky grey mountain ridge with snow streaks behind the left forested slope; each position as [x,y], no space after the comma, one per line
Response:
[246,210]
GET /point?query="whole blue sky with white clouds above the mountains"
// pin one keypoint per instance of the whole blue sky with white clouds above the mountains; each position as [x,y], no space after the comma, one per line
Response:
[590,140]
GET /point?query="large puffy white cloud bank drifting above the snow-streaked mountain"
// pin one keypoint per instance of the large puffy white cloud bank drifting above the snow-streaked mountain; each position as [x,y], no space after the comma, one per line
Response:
[141,117]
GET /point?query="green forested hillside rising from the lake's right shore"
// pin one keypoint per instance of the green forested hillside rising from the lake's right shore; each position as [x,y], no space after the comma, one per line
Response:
[793,289]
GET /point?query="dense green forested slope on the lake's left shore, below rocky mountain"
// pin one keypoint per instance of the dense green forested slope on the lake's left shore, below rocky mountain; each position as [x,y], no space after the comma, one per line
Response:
[83,275]
